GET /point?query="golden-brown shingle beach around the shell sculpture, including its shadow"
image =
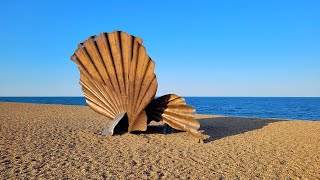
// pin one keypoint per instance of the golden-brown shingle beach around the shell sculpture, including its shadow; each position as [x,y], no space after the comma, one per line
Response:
[57,141]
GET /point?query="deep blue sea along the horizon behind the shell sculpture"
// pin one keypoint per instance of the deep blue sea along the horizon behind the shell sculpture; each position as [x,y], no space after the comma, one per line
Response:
[305,108]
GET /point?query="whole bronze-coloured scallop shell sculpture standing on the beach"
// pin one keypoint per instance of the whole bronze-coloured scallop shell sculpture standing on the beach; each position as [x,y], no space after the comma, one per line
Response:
[118,81]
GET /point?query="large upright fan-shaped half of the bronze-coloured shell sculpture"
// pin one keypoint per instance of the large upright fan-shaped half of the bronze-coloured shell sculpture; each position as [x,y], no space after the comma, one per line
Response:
[117,76]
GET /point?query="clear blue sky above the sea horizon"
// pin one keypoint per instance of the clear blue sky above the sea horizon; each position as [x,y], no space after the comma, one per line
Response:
[201,48]
